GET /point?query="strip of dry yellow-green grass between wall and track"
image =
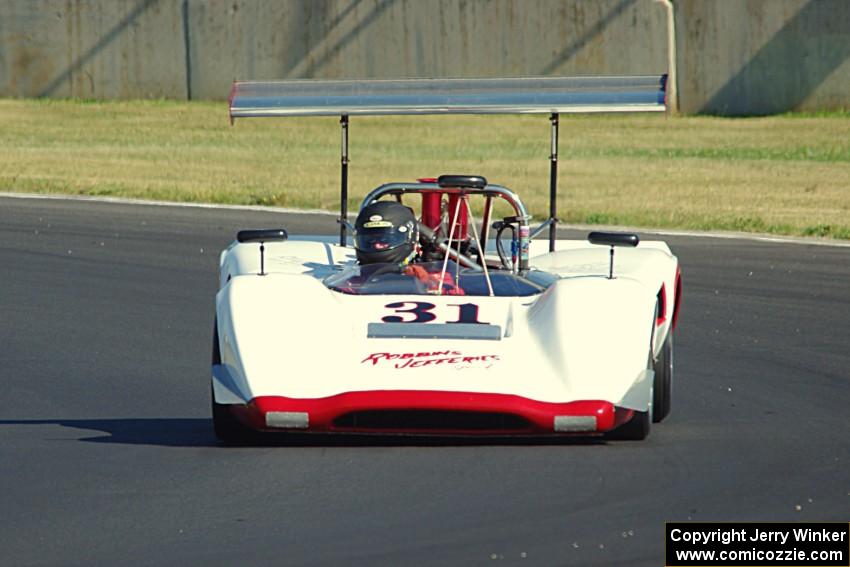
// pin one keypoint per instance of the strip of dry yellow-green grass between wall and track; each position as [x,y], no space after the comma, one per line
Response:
[787,174]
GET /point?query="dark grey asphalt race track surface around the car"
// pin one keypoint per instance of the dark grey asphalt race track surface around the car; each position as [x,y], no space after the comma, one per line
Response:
[107,455]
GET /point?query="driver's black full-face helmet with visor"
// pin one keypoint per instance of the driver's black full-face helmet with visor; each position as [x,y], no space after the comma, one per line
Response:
[385,231]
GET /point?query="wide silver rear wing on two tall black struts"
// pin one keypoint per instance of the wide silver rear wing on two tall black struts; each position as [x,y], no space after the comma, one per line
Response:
[530,95]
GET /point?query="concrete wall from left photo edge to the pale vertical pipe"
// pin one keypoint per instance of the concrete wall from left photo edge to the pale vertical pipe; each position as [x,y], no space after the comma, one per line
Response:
[195,48]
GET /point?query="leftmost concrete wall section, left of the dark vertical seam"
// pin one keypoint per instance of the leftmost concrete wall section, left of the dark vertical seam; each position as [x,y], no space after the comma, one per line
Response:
[91,49]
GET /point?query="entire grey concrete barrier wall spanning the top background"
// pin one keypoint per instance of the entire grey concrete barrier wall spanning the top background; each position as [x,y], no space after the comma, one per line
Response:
[733,57]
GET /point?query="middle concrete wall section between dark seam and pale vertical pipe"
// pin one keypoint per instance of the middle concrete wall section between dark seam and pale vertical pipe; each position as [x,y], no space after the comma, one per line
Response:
[430,38]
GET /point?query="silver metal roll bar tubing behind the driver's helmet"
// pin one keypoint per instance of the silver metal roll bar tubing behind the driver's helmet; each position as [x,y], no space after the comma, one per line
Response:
[490,190]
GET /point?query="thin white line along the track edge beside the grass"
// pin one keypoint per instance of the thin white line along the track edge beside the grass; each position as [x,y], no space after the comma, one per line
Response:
[809,241]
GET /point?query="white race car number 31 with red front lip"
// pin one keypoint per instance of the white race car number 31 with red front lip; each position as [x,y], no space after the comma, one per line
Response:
[482,331]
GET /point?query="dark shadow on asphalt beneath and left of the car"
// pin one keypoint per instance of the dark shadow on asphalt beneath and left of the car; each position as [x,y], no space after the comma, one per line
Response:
[198,432]
